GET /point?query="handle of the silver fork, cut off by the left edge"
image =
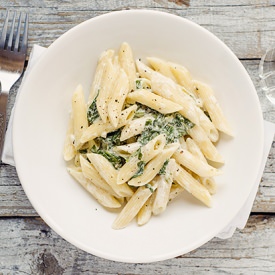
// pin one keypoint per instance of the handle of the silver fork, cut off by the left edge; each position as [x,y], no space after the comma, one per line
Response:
[3,119]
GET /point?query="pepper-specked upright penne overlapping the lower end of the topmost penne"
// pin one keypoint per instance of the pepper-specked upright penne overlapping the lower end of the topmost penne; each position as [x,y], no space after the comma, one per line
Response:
[117,97]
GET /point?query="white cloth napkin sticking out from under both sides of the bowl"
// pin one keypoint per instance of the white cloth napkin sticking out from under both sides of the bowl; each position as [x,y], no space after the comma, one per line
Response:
[241,218]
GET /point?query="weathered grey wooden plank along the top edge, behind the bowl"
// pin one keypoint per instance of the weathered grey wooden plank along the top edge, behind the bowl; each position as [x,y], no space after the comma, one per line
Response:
[247,27]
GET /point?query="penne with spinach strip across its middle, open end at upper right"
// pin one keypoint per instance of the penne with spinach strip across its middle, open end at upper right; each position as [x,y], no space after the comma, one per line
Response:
[147,152]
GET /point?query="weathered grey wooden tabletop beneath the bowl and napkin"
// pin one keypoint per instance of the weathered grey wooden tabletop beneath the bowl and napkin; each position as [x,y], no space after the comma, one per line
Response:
[29,246]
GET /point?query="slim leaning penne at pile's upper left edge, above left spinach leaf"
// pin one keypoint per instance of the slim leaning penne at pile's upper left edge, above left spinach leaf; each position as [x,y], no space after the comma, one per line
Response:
[100,70]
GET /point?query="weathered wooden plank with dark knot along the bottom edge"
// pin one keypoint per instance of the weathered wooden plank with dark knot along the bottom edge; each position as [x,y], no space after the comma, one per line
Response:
[30,246]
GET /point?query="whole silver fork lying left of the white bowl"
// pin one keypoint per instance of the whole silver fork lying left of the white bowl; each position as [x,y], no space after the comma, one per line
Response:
[13,51]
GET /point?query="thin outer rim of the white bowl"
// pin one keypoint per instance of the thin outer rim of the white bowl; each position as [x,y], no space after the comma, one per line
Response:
[60,39]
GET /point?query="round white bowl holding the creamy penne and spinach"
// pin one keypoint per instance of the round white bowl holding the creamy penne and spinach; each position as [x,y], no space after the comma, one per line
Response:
[40,124]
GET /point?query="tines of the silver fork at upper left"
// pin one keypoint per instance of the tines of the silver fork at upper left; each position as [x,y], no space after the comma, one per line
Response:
[11,40]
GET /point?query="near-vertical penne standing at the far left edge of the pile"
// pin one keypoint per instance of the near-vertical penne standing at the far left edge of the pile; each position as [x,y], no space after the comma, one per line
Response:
[79,115]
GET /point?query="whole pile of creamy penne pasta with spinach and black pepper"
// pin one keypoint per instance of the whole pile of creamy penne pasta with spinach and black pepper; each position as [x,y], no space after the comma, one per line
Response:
[145,135]
